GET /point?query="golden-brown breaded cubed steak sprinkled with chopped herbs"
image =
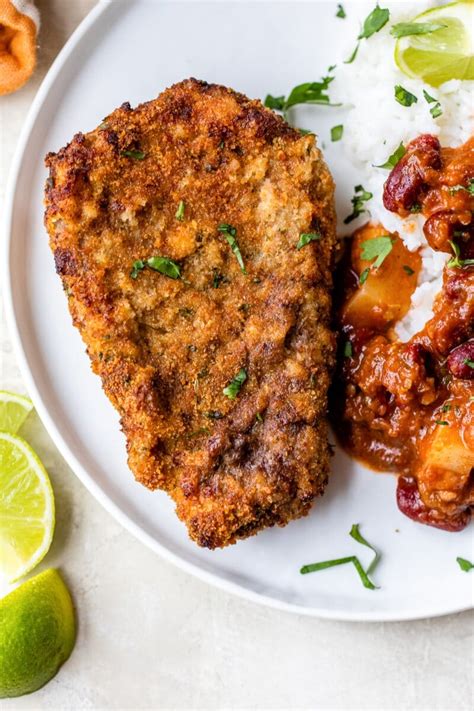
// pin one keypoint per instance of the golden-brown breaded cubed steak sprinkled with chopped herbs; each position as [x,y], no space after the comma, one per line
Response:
[194,236]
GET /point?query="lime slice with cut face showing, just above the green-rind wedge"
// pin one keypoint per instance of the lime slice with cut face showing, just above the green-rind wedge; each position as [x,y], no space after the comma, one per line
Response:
[26,508]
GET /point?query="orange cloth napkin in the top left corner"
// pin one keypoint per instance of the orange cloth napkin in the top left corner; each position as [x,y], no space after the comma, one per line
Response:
[19,23]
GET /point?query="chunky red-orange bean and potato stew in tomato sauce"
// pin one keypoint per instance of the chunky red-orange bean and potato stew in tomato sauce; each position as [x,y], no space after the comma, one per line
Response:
[409,407]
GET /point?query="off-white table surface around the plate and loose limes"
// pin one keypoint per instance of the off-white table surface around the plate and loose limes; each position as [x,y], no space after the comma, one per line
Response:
[152,637]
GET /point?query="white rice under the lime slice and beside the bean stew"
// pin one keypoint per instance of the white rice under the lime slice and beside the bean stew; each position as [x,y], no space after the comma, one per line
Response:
[375,126]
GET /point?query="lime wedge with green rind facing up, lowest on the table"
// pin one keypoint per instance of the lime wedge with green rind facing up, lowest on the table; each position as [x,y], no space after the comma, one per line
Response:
[37,633]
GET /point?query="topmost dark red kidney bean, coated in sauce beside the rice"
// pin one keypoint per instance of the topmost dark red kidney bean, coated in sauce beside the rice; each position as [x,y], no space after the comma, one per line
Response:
[402,187]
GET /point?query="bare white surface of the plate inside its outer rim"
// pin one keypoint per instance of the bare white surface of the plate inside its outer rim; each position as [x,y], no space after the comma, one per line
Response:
[131,51]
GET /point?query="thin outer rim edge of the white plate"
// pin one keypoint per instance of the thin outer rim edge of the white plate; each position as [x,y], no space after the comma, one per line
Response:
[48,422]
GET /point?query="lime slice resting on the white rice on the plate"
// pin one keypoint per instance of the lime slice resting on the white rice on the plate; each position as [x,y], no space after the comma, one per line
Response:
[446,54]
